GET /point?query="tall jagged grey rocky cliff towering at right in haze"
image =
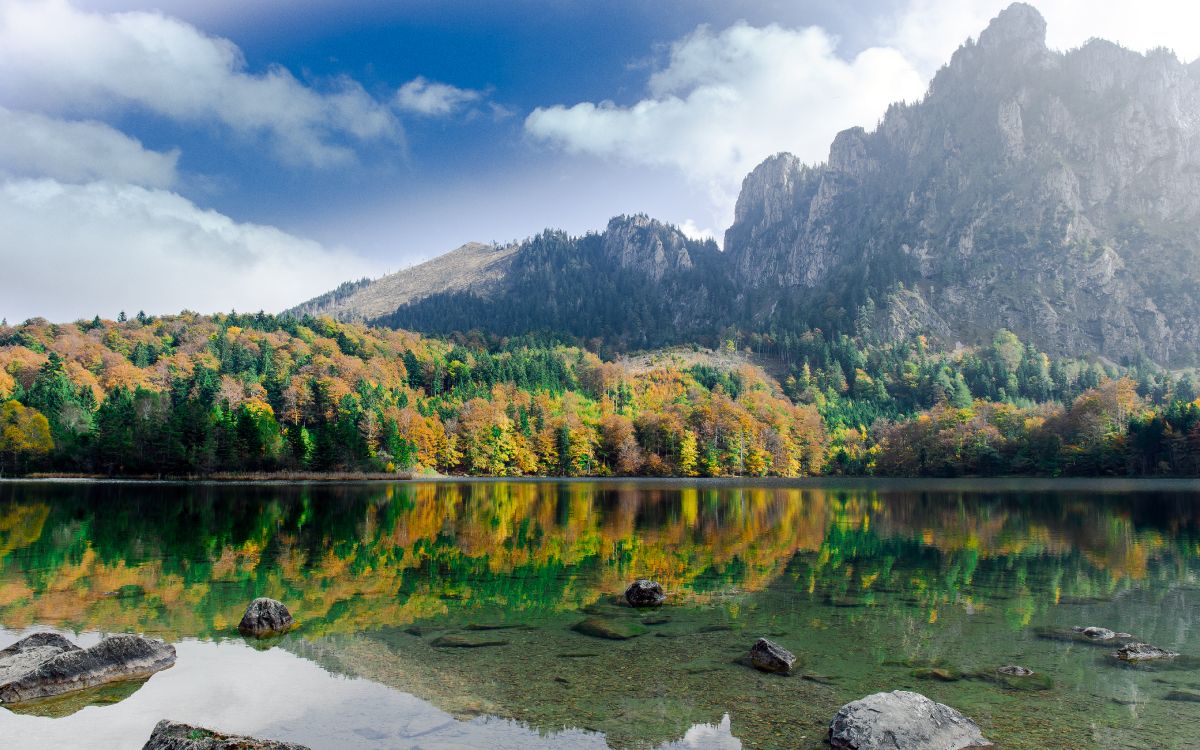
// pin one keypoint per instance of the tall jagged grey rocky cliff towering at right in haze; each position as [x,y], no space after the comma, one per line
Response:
[1053,194]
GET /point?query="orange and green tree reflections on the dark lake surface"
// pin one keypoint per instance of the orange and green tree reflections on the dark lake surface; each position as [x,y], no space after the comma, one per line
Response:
[184,560]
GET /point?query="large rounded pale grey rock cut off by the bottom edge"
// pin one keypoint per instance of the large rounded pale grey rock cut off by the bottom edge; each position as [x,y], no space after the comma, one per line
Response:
[903,721]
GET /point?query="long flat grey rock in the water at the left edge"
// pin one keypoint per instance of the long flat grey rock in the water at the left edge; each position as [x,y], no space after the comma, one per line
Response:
[46,664]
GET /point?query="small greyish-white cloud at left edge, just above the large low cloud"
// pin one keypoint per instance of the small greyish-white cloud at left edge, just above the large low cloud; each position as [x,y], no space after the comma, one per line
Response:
[79,152]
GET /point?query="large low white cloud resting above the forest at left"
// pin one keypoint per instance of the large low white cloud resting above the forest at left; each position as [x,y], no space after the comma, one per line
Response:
[82,250]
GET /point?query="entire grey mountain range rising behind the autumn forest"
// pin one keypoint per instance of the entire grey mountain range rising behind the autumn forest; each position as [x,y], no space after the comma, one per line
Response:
[1057,195]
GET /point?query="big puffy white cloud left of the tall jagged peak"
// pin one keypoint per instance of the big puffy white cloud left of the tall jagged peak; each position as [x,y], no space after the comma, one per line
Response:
[728,100]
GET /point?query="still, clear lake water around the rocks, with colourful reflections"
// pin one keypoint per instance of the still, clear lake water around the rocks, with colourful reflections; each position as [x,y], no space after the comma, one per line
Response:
[440,615]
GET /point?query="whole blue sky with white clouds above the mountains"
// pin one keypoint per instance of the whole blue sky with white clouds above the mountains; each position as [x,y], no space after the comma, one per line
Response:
[215,157]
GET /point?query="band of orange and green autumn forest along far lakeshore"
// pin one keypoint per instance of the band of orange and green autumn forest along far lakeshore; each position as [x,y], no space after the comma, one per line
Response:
[195,395]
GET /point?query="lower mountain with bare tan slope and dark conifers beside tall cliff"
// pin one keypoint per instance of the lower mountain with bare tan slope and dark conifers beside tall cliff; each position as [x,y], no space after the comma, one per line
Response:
[638,284]
